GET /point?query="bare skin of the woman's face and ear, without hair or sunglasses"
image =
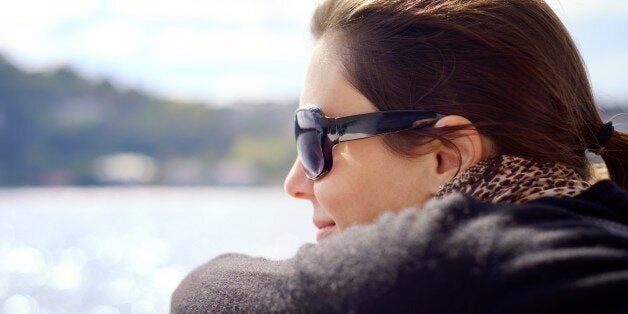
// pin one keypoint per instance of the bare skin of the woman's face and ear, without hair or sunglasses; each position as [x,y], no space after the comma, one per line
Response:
[367,177]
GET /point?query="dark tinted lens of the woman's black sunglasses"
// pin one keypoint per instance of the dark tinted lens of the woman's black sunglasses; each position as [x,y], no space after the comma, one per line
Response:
[308,133]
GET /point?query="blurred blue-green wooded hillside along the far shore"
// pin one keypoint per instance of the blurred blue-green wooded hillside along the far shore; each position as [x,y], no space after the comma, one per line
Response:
[57,127]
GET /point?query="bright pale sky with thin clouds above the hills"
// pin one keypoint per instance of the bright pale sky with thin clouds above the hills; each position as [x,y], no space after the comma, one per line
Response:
[220,51]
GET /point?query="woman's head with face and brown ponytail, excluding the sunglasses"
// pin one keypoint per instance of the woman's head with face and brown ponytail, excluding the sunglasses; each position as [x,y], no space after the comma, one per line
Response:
[506,72]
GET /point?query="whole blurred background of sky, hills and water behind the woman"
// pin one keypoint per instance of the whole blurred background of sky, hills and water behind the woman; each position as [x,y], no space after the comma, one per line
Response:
[140,139]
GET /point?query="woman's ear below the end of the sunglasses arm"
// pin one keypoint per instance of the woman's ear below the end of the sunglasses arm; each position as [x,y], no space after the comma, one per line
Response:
[468,142]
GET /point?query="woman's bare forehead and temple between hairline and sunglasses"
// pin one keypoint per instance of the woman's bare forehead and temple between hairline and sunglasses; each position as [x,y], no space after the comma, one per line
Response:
[326,86]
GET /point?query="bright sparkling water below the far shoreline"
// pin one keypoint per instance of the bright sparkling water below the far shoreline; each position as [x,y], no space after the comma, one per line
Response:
[124,250]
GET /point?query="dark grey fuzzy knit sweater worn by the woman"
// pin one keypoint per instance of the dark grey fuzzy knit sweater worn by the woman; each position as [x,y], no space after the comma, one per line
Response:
[453,255]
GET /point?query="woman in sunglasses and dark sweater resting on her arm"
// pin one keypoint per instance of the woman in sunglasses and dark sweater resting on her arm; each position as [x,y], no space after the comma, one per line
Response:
[454,178]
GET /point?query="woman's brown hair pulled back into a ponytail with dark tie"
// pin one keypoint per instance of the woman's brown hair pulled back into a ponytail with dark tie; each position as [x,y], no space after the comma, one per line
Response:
[509,66]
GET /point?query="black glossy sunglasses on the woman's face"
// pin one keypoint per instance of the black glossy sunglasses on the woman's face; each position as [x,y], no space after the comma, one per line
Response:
[316,134]
